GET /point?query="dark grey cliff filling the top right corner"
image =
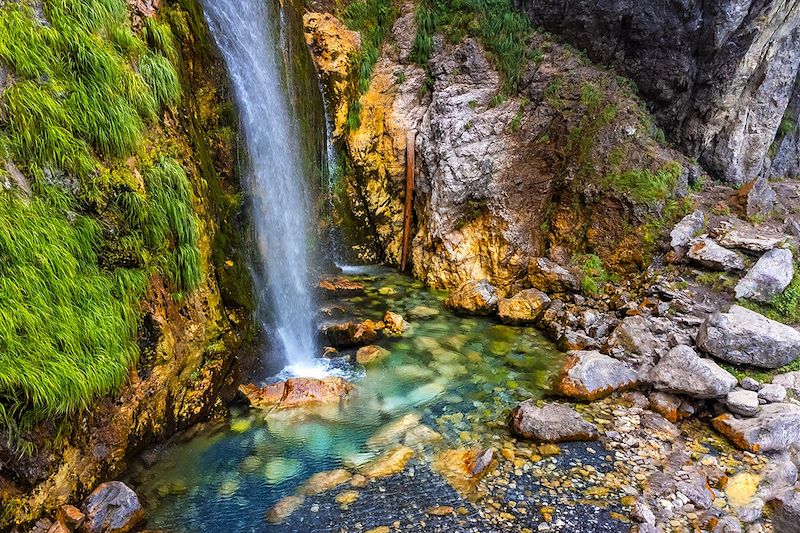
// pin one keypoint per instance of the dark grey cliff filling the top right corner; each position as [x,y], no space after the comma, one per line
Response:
[717,75]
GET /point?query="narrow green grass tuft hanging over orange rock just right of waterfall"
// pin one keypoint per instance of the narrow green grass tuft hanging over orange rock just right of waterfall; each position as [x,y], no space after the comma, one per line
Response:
[373,19]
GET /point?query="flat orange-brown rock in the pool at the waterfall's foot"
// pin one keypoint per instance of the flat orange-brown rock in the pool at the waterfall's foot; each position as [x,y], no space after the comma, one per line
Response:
[296,392]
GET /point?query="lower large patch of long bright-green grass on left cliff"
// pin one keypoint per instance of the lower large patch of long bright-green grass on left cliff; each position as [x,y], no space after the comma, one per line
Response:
[66,327]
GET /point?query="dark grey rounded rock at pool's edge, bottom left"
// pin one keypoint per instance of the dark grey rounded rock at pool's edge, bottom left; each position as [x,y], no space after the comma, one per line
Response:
[111,508]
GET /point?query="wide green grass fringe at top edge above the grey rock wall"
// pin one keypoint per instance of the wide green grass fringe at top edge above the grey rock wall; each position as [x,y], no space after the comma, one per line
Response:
[502,29]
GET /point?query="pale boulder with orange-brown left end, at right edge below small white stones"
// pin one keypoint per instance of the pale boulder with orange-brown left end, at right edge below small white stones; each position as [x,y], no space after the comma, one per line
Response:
[775,427]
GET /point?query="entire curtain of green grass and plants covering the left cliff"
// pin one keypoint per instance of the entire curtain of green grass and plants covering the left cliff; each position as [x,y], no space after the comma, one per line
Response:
[85,89]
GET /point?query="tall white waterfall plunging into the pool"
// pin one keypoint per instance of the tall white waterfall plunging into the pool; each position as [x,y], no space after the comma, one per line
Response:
[249,34]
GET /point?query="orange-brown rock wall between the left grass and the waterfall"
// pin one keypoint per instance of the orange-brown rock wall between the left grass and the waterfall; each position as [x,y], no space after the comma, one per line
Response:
[187,342]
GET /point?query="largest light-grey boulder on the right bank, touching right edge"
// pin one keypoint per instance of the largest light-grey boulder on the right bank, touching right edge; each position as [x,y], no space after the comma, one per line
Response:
[745,337]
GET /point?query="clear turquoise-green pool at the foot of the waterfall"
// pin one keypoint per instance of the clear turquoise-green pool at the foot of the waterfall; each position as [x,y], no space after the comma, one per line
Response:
[461,375]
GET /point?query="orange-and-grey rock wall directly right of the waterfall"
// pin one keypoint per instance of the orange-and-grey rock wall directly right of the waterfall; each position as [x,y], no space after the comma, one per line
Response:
[553,170]
